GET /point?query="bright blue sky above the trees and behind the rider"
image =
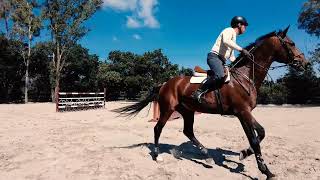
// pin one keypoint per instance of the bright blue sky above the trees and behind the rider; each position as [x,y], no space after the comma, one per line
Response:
[186,29]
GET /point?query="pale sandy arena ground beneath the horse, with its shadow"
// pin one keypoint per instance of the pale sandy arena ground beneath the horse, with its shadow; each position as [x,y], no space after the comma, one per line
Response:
[38,143]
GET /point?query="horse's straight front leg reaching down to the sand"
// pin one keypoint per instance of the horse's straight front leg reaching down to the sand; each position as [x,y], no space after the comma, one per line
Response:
[247,122]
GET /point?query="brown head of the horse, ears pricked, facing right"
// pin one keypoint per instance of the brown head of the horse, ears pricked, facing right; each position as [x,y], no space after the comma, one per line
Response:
[288,53]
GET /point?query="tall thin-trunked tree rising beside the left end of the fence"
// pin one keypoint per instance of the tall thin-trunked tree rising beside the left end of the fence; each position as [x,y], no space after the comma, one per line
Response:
[66,23]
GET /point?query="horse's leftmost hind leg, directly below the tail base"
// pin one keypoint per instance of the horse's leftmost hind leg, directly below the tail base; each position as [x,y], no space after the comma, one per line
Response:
[164,116]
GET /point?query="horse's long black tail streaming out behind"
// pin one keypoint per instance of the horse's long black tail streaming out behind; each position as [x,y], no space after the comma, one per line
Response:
[134,109]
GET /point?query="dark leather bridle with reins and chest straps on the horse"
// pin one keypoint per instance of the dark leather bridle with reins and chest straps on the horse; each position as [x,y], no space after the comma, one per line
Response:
[290,57]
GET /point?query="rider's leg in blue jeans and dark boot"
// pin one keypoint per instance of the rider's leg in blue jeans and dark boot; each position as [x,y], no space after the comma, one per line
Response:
[213,82]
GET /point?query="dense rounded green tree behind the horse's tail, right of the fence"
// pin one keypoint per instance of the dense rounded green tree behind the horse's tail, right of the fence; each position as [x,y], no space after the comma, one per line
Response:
[136,74]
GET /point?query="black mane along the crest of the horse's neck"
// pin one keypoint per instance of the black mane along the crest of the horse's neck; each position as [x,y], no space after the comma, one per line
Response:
[251,45]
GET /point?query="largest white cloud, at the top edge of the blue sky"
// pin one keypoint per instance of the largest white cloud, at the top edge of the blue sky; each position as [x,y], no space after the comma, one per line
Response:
[142,12]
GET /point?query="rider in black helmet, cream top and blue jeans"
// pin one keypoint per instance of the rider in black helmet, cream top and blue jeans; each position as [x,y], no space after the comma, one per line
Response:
[222,49]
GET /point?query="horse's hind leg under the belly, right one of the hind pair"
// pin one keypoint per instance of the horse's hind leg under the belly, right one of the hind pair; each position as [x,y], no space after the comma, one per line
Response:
[188,119]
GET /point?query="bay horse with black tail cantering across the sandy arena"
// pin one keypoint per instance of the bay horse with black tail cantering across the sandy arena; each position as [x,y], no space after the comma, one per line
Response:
[239,96]
